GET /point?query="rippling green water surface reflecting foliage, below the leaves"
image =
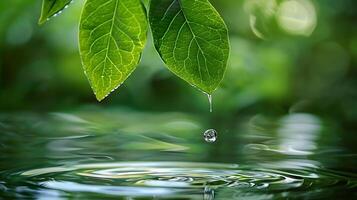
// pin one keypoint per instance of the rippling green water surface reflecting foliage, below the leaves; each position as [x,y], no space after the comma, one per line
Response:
[131,155]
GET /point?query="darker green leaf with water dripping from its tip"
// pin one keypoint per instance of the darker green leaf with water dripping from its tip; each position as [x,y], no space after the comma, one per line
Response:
[192,40]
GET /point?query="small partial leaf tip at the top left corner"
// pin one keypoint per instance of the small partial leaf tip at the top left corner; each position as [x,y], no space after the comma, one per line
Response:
[51,8]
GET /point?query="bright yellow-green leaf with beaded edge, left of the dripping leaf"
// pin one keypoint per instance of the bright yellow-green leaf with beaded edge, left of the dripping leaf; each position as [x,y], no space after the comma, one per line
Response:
[112,36]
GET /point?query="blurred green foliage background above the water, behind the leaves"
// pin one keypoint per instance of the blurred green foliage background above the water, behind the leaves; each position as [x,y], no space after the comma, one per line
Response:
[287,56]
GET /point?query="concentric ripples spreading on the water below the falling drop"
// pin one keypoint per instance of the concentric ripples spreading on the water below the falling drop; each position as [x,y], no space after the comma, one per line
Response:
[180,180]
